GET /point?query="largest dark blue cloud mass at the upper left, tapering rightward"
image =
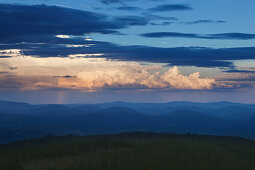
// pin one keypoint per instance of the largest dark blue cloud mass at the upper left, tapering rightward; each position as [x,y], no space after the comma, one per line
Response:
[24,20]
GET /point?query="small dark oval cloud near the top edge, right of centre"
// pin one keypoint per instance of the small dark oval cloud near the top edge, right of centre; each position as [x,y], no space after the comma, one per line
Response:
[170,7]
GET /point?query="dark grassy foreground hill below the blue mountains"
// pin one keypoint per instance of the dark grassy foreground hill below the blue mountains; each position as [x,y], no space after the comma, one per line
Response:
[130,151]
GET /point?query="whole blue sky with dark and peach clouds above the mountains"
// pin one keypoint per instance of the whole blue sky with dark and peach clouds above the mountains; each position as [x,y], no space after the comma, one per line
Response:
[93,51]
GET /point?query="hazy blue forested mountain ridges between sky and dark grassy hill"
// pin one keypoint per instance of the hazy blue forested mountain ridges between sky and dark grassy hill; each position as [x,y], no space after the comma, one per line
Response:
[21,120]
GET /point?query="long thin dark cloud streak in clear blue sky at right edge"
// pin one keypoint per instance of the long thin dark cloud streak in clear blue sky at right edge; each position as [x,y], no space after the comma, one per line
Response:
[224,36]
